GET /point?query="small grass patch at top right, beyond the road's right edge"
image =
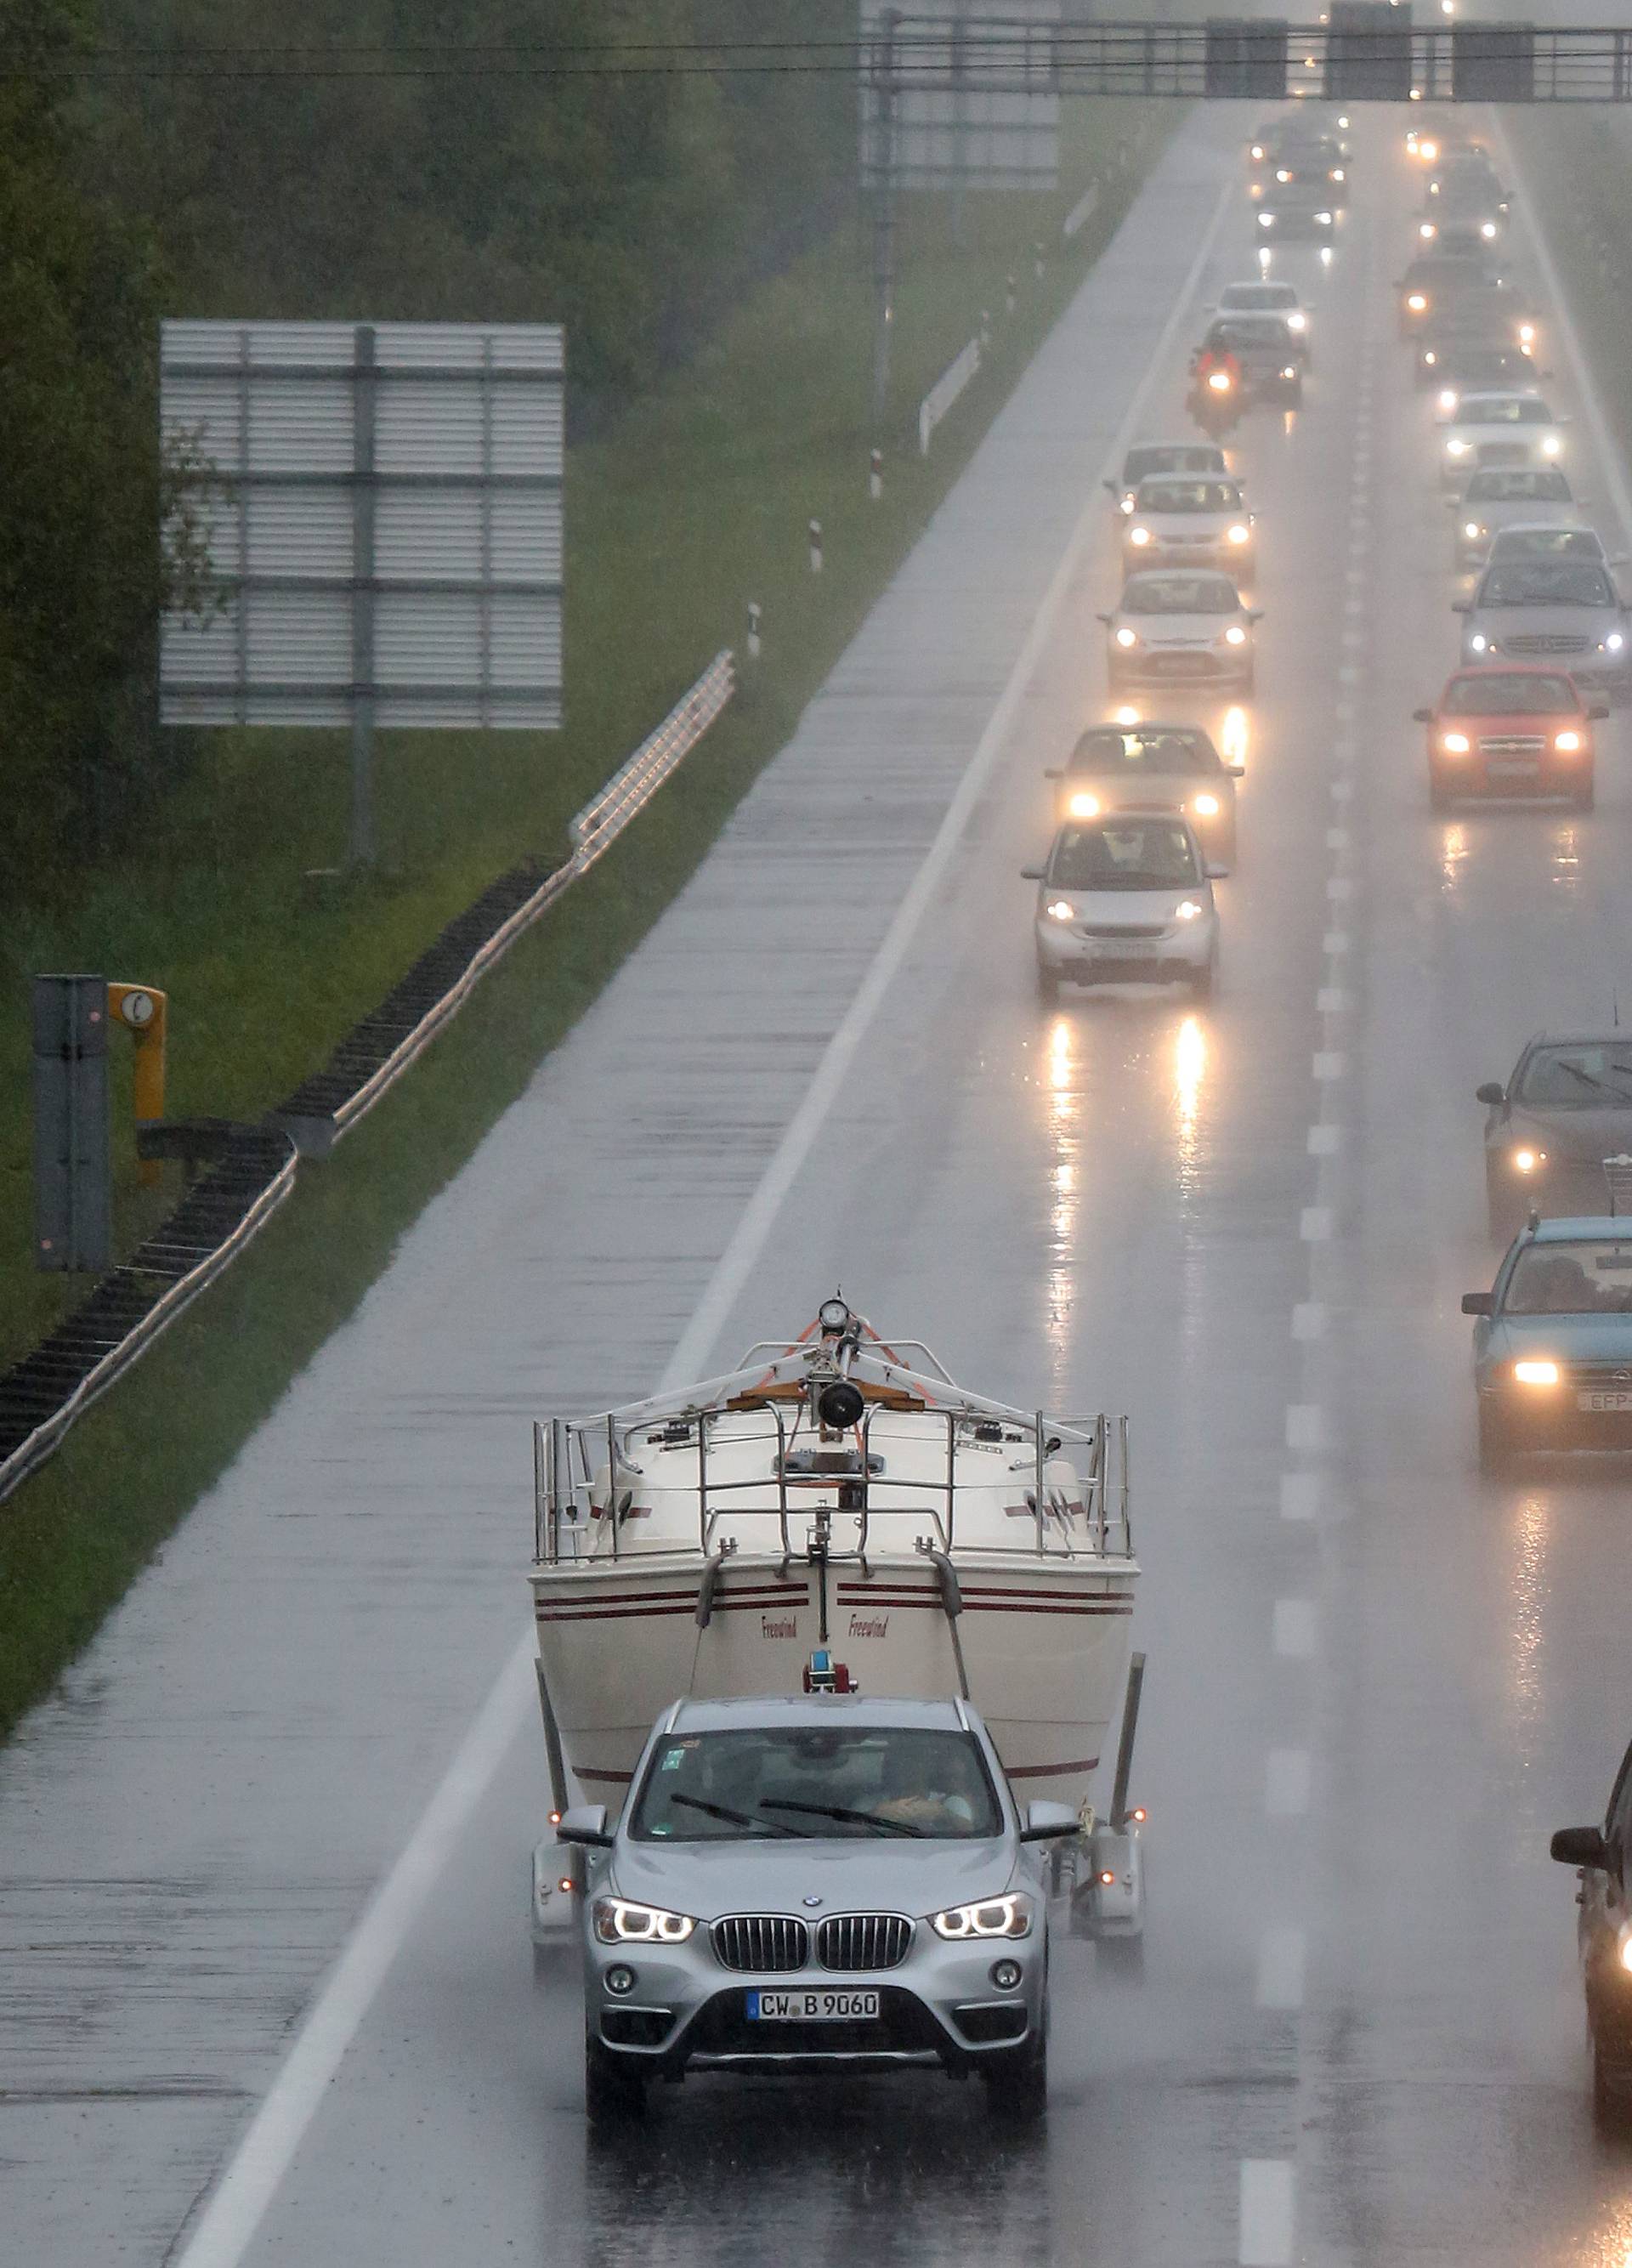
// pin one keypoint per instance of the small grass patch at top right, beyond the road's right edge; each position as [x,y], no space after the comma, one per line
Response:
[1579,171]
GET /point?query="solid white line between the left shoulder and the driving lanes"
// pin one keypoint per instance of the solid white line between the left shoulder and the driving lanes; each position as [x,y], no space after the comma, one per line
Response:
[266,2151]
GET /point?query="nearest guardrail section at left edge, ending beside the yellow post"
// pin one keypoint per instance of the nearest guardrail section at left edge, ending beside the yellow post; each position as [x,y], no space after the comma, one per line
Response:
[133,1305]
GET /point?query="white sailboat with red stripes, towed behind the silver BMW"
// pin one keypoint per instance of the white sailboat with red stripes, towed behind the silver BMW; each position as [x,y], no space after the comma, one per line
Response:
[835,1512]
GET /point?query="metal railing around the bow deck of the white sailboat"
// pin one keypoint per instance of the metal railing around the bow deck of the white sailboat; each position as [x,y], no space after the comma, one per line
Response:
[572,1455]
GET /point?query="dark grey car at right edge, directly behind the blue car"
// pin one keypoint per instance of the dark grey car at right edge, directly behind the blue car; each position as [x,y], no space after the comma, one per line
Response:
[1563,1112]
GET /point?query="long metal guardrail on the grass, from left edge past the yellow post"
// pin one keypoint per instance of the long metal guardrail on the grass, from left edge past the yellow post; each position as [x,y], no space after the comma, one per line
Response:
[230,1205]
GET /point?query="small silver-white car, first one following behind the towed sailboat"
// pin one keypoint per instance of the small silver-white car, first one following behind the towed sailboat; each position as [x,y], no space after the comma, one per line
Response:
[1125,899]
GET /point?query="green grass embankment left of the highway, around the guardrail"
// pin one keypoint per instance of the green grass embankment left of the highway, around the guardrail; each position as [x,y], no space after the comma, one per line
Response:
[697,507]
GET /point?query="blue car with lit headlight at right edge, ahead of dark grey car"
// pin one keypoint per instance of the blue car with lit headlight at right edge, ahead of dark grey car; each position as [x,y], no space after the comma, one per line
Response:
[1554,1342]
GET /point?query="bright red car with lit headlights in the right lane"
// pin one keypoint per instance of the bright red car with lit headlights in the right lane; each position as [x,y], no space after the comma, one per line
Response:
[1511,729]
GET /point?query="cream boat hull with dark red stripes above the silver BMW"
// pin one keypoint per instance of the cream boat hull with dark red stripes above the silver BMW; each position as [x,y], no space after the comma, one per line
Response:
[1044,1648]
